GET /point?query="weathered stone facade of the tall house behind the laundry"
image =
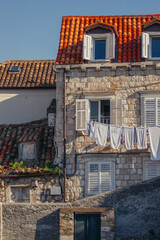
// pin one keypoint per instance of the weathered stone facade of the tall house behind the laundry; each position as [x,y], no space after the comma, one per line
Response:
[126,81]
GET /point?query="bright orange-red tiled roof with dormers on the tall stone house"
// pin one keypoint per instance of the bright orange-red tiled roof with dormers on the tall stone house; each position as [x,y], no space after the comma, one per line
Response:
[129,28]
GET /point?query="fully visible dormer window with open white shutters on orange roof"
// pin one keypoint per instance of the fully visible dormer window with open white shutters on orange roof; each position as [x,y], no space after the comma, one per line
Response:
[99,47]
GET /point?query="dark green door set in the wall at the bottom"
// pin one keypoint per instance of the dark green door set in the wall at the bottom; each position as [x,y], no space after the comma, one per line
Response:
[87,226]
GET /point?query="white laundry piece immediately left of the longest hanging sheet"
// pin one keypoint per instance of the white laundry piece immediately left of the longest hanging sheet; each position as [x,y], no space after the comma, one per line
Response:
[141,137]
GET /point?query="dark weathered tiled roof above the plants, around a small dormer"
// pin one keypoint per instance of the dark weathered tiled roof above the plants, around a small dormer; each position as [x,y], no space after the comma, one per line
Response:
[11,135]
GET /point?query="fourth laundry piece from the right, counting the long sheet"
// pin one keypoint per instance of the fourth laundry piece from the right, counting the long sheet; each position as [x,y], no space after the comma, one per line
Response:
[115,136]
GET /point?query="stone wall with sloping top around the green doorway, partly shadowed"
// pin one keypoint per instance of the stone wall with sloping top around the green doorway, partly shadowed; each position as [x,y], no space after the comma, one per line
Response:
[137,214]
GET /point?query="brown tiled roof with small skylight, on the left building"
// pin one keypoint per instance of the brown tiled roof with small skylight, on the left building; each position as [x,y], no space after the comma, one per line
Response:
[32,74]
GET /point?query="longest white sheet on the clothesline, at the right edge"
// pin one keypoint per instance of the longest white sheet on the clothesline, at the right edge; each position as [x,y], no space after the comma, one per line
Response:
[154,138]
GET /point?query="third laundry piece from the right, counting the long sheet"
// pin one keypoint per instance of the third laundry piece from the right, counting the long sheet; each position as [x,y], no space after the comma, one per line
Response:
[129,137]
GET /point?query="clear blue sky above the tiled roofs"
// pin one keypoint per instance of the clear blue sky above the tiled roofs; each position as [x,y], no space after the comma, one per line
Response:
[30,29]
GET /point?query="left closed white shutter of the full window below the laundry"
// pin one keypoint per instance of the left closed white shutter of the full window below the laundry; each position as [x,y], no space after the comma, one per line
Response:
[93,180]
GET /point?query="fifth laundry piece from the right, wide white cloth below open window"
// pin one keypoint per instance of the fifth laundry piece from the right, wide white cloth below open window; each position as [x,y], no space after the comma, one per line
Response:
[101,134]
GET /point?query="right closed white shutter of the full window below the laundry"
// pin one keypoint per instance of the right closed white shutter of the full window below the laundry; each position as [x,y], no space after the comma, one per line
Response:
[105,177]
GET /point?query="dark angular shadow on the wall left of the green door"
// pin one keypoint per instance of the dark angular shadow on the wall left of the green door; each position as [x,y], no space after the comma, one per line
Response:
[47,228]
